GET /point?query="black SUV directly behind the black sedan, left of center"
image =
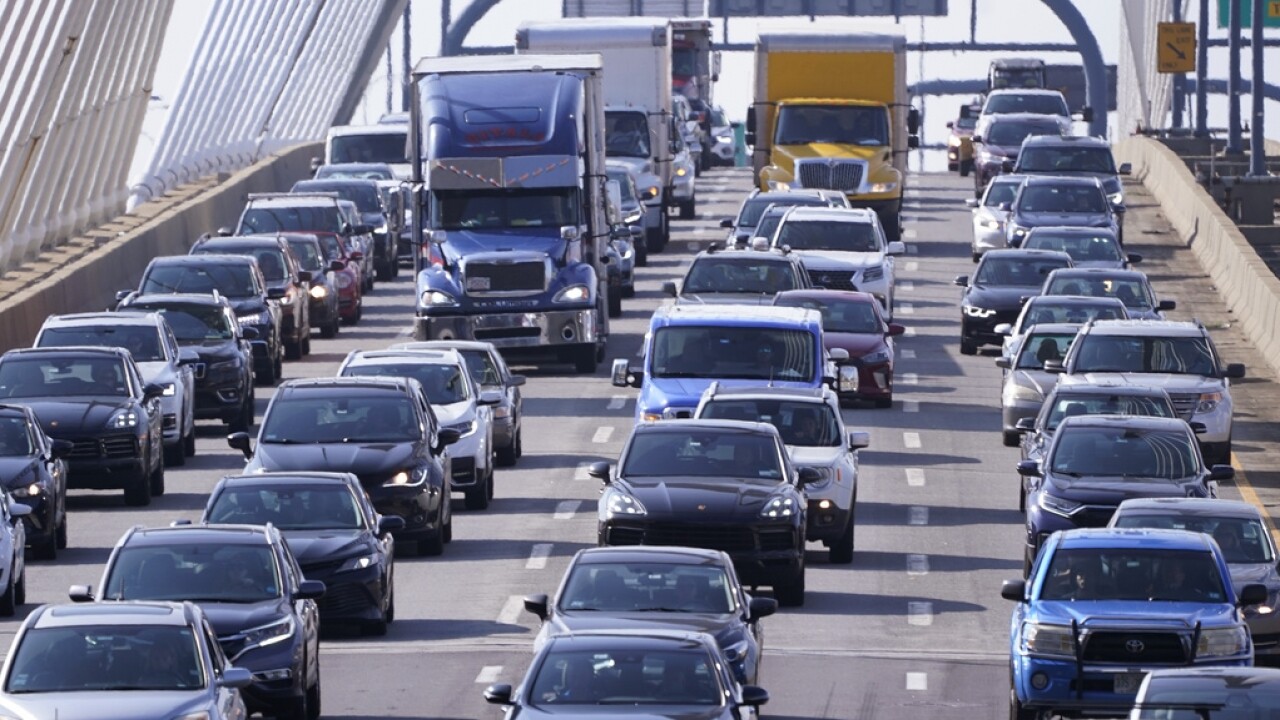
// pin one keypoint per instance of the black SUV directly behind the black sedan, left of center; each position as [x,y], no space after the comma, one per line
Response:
[382,430]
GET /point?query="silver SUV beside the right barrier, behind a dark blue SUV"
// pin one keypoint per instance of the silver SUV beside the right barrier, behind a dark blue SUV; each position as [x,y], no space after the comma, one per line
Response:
[1178,357]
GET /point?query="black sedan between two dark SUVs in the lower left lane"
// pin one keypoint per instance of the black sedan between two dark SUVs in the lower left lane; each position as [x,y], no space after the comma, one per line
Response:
[332,530]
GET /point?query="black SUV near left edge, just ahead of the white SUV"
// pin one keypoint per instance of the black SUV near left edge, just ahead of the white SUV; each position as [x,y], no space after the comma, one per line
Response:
[95,399]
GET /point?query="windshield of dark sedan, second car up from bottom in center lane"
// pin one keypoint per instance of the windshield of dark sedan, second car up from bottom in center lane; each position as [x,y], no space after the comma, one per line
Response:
[629,587]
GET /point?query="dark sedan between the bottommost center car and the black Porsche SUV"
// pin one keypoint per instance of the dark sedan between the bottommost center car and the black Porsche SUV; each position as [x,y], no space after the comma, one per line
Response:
[642,589]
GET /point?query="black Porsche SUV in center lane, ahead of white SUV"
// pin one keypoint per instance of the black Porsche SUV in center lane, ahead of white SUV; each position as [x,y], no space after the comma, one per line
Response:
[723,485]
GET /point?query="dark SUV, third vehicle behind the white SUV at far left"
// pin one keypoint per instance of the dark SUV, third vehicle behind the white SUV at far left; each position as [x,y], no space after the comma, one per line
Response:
[285,277]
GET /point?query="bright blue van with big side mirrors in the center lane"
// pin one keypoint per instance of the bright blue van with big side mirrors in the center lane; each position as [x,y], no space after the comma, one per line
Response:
[691,347]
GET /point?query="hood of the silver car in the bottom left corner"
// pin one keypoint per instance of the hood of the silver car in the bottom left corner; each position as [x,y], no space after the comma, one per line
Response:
[103,705]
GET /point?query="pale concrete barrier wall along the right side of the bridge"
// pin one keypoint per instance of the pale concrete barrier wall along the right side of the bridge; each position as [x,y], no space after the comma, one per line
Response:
[1250,289]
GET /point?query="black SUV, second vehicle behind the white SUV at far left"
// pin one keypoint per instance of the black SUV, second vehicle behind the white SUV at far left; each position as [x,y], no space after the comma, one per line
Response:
[240,281]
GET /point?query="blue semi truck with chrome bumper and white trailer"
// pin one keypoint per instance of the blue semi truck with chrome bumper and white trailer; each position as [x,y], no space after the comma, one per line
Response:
[510,153]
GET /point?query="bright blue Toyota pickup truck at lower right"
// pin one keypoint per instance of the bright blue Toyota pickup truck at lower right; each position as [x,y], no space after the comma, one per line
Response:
[1101,608]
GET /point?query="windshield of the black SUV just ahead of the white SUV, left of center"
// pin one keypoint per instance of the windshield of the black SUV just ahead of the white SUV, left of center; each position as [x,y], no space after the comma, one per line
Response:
[341,417]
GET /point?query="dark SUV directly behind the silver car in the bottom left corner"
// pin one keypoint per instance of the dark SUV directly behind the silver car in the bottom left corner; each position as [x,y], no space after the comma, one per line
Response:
[249,585]
